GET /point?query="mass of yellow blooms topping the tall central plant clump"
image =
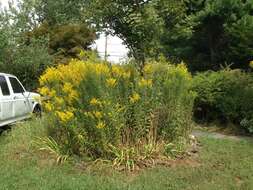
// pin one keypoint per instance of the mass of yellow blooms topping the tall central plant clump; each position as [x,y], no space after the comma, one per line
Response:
[61,86]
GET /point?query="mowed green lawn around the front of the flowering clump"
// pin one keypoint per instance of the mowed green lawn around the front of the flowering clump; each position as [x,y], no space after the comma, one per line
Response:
[221,164]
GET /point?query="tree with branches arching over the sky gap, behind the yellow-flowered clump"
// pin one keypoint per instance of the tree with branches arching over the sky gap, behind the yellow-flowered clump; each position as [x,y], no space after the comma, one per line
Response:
[136,22]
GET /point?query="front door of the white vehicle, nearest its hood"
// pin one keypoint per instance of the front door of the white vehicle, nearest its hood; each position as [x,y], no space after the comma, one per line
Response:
[19,100]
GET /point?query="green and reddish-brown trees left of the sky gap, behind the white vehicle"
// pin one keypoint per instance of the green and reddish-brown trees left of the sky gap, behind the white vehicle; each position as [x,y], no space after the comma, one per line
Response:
[30,43]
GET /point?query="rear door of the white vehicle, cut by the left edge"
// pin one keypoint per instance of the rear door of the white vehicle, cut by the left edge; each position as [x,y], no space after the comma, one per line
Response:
[6,103]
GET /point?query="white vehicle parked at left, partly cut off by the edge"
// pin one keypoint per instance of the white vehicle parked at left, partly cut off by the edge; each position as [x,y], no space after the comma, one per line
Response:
[15,102]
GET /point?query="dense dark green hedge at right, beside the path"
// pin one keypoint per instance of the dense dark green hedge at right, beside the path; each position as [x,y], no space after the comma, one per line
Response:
[225,95]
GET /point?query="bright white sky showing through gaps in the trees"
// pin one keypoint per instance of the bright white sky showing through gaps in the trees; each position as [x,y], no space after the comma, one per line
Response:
[117,52]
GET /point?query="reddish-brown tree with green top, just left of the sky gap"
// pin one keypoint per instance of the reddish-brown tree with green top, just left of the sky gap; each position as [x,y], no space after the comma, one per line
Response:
[64,23]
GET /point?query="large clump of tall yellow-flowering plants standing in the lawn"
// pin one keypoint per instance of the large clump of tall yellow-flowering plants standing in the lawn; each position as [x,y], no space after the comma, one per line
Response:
[100,110]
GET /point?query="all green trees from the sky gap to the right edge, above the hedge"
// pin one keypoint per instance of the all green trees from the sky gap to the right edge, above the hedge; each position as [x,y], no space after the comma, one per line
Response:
[205,34]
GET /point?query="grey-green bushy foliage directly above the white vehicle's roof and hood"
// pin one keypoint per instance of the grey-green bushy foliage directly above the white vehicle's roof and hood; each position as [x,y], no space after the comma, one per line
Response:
[27,62]
